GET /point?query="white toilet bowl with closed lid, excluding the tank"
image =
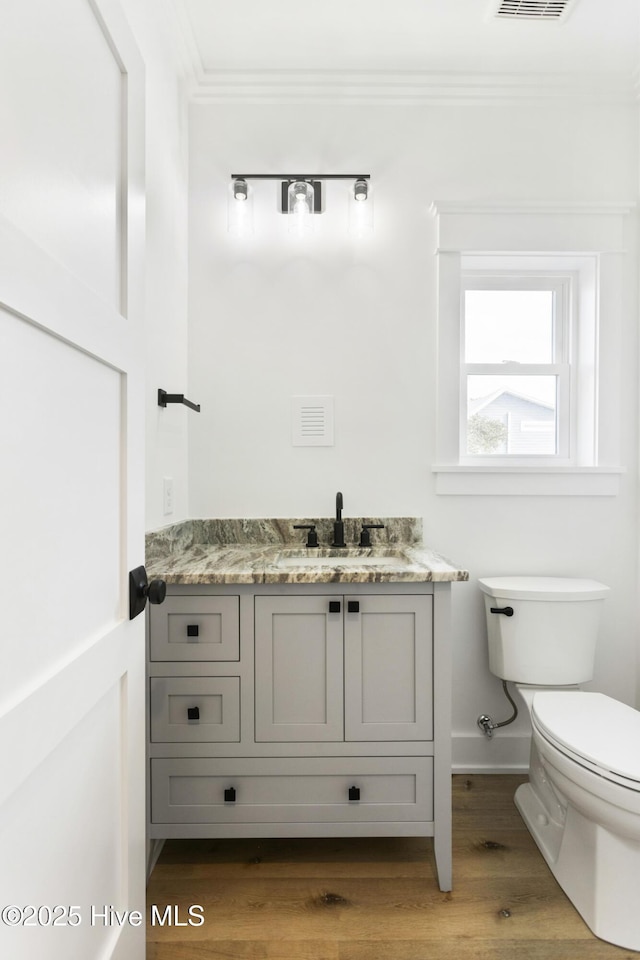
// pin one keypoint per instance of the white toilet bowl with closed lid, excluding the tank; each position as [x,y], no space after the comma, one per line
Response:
[582,806]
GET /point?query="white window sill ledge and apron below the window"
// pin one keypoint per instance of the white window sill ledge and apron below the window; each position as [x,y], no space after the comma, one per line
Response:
[529,481]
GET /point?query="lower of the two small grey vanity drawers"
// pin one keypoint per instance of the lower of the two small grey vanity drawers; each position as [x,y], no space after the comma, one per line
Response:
[195,709]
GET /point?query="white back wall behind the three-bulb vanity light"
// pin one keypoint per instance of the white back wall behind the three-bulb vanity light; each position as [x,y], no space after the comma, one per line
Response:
[271,318]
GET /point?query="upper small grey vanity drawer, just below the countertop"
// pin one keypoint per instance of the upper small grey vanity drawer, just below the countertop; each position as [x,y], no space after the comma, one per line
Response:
[195,628]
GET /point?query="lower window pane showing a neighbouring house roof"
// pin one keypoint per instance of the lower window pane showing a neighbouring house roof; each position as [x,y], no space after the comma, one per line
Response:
[511,415]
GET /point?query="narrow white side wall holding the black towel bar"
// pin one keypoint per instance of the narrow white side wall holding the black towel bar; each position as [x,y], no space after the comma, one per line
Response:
[156,31]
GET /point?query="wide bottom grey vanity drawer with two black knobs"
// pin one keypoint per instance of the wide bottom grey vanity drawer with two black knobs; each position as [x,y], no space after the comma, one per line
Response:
[291,790]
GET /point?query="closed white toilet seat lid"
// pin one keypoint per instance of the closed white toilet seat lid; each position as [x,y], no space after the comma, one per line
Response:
[596,729]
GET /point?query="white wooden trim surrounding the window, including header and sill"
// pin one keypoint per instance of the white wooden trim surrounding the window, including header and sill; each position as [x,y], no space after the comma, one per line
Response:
[600,233]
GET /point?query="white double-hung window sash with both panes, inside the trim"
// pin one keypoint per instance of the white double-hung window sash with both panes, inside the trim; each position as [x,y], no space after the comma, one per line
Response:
[517,367]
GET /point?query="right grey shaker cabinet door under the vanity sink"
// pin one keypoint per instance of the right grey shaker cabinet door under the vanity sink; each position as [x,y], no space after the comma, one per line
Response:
[388,668]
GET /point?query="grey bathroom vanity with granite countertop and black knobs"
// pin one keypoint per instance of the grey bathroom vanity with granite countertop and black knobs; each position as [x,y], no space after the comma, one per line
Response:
[295,692]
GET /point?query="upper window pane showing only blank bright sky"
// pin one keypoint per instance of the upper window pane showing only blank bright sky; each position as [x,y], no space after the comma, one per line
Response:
[502,325]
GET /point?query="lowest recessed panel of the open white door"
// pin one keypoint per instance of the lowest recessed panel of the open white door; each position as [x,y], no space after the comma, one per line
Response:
[93,851]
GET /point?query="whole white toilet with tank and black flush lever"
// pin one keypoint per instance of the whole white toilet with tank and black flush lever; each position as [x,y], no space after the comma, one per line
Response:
[582,801]
